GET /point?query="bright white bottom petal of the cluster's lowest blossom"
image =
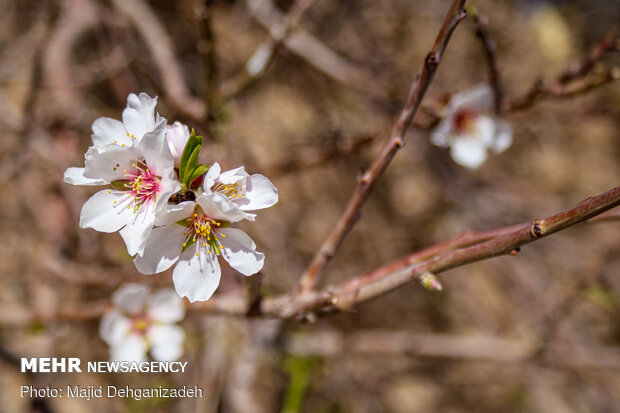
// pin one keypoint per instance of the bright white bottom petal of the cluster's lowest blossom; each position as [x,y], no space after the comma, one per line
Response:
[196,277]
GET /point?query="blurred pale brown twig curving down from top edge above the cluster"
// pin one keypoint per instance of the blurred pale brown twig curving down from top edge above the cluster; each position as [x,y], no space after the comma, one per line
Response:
[160,46]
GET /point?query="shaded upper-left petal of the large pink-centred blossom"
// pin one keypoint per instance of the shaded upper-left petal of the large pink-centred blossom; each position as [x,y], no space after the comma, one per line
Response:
[108,163]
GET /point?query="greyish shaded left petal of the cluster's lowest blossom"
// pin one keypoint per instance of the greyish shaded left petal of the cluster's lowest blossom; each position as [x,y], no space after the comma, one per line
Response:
[163,248]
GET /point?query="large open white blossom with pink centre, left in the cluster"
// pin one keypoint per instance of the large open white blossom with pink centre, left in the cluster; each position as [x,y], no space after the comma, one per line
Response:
[143,179]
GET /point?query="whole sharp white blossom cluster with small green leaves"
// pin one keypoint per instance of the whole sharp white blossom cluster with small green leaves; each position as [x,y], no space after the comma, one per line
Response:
[167,207]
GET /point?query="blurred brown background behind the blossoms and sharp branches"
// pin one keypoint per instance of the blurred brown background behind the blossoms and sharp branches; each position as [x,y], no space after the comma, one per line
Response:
[539,332]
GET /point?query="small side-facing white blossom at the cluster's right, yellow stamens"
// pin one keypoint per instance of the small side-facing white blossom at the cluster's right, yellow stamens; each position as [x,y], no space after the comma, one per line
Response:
[248,192]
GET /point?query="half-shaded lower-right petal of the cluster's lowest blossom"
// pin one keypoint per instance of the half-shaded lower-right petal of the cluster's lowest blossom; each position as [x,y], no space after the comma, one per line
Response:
[240,251]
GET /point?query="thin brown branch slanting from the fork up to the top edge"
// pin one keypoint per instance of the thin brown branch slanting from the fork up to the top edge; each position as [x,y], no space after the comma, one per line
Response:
[396,140]
